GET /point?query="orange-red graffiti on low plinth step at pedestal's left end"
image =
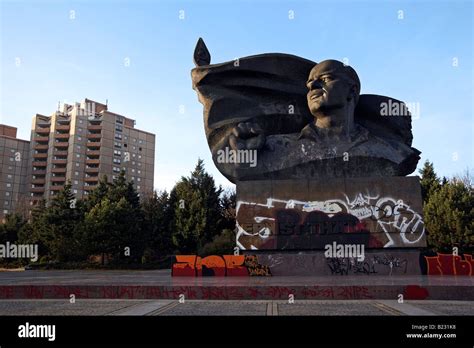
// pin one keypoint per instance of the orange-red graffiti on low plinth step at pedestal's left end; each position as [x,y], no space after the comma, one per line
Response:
[218,266]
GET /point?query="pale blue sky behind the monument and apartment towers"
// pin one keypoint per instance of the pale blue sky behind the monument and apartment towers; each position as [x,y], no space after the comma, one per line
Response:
[47,56]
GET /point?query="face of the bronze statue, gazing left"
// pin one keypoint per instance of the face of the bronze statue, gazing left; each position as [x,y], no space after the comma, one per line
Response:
[328,87]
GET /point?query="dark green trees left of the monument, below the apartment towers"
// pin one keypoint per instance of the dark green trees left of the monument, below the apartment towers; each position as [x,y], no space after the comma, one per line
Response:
[115,225]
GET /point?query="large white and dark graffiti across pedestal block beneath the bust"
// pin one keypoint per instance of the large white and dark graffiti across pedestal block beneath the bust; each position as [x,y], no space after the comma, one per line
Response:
[376,222]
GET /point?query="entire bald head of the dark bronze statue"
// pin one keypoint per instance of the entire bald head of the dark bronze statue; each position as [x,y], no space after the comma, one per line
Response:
[332,86]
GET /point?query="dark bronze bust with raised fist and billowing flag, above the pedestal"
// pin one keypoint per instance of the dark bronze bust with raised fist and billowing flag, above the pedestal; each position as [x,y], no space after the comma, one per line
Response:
[279,116]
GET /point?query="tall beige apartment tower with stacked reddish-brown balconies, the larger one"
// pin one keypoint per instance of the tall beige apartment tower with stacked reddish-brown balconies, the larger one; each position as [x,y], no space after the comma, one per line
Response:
[81,143]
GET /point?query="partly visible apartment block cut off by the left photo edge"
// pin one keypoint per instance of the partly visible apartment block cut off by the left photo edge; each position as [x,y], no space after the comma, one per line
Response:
[14,162]
